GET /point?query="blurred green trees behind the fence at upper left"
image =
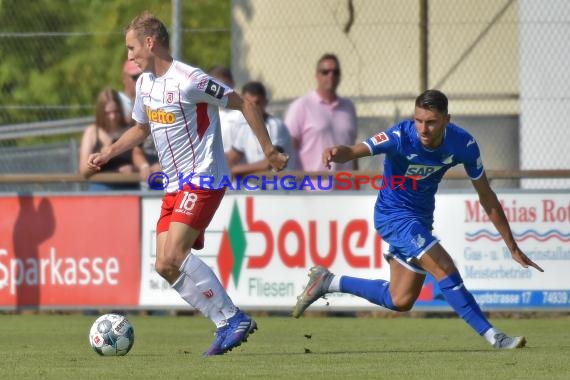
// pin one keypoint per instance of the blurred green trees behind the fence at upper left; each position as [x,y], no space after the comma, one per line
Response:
[57,55]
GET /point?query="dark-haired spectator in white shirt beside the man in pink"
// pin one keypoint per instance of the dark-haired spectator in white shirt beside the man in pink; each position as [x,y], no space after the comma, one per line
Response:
[245,146]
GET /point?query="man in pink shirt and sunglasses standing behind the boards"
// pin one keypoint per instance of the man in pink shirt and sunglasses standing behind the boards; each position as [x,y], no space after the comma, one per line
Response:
[322,118]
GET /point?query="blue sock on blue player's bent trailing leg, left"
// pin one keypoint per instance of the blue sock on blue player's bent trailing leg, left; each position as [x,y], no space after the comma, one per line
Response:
[375,291]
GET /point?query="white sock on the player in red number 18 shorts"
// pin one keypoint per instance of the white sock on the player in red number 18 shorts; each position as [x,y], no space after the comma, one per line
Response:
[208,284]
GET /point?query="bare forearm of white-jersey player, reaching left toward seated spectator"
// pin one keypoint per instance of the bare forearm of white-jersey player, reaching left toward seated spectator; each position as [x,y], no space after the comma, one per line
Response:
[128,140]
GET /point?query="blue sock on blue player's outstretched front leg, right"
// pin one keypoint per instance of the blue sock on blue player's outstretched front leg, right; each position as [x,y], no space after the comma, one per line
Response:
[463,302]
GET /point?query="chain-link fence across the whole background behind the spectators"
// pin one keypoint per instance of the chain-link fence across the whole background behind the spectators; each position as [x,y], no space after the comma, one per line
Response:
[501,62]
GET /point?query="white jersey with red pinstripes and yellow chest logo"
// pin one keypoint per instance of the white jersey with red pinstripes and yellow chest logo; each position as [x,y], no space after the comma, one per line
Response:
[181,108]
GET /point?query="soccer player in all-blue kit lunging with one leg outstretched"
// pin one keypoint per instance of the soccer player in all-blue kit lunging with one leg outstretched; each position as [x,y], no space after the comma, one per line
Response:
[422,150]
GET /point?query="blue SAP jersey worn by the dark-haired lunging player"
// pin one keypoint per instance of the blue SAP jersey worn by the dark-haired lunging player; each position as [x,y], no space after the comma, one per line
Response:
[412,172]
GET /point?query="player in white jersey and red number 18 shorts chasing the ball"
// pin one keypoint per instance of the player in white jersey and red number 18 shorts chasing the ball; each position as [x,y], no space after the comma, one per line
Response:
[178,104]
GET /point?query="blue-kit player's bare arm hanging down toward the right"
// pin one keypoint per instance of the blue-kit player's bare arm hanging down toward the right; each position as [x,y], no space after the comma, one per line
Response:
[493,208]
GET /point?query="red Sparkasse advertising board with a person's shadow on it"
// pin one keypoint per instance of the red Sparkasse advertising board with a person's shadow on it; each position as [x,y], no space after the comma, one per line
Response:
[69,251]
